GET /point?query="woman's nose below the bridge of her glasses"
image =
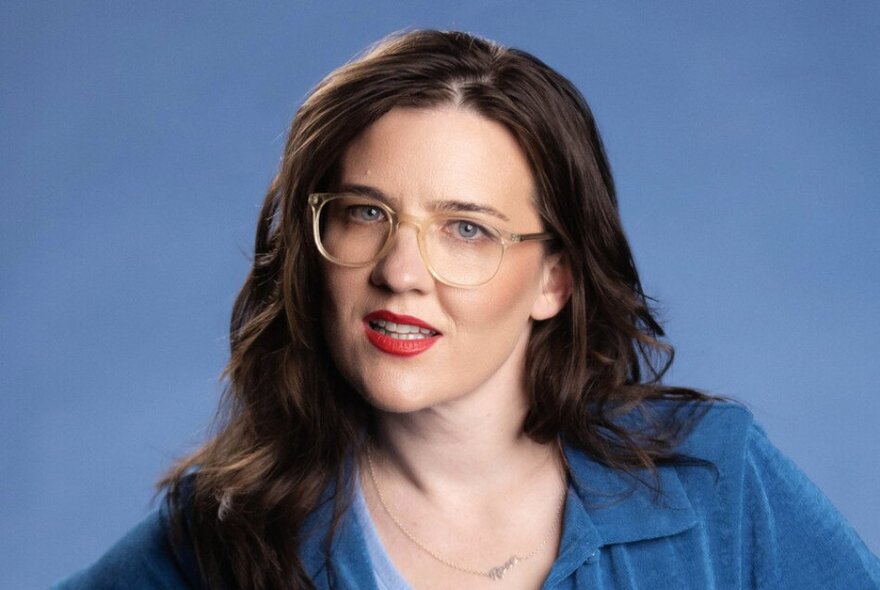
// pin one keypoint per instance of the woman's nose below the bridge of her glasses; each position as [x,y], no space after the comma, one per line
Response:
[403,268]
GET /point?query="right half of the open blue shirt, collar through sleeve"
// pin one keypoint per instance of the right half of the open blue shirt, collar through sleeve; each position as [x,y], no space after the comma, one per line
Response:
[731,511]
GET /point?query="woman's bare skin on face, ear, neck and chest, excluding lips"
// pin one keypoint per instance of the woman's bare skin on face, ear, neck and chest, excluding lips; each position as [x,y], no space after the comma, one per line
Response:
[450,456]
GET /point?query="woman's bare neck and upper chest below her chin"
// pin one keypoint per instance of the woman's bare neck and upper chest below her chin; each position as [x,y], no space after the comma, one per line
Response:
[462,481]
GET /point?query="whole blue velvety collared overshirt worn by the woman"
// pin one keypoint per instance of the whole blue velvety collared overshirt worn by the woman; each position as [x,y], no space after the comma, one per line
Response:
[754,521]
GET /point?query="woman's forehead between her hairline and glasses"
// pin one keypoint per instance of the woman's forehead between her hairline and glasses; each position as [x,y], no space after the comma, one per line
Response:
[420,157]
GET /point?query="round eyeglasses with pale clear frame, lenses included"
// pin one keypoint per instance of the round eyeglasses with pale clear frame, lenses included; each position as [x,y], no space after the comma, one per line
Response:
[354,230]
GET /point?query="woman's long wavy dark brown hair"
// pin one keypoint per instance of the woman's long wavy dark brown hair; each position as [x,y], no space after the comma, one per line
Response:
[289,420]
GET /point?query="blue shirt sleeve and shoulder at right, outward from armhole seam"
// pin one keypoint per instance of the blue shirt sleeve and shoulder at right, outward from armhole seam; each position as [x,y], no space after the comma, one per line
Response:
[787,532]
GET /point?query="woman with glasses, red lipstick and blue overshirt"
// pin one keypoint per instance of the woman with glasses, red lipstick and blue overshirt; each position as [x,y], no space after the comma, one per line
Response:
[445,373]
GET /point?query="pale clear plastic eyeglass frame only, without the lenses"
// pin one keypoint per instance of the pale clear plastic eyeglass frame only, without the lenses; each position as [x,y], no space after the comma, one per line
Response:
[317,201]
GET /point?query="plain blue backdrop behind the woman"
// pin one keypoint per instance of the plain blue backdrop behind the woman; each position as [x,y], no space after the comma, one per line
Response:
[137,142]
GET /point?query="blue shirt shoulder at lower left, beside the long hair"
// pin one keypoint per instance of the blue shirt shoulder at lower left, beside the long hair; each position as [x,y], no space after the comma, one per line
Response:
[144,558]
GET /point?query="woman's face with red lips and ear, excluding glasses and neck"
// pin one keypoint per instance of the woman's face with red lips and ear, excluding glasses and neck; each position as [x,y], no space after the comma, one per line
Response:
[421,161]
